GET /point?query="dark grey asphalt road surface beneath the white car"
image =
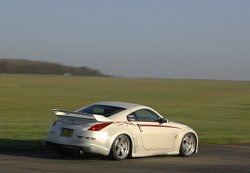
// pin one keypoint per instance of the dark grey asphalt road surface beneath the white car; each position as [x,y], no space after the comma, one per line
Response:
[211,158]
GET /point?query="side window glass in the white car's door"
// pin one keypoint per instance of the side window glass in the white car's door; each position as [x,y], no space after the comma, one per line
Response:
[146,116]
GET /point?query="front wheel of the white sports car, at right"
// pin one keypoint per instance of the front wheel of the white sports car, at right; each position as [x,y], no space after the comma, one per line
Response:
[188,145]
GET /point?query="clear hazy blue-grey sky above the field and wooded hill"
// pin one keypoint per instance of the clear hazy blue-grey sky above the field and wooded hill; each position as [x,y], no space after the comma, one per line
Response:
[183,39]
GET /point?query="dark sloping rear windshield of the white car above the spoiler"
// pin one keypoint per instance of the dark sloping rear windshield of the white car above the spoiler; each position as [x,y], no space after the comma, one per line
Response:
[104,110]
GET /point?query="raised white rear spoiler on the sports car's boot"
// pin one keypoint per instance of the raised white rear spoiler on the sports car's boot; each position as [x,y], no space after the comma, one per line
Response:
[59,113]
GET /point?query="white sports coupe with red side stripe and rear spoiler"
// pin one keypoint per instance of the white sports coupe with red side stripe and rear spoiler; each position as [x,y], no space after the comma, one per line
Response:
[120,130]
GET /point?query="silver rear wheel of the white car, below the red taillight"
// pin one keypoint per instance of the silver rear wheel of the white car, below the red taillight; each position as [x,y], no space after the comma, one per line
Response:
[120,147]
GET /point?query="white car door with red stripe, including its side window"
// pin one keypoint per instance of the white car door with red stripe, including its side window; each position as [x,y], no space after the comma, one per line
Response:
[154,135]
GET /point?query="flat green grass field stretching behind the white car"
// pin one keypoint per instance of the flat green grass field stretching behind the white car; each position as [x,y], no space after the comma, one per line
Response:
[218,110]
